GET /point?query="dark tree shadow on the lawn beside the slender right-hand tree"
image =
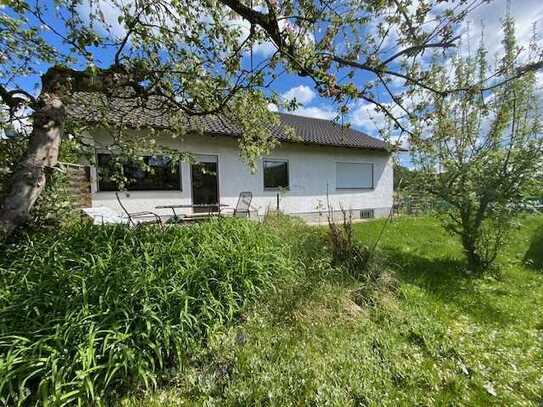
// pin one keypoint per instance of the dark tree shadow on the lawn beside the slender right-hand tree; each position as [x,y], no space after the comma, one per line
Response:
[445,280]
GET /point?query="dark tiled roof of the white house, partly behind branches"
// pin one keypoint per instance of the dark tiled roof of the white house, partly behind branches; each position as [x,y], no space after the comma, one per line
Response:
[93,108]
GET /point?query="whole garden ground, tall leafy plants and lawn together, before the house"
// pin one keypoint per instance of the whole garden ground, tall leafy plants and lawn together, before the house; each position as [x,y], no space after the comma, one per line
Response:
[234,312]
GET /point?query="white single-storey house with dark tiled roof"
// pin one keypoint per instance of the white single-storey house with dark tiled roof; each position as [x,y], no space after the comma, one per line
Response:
[328,164]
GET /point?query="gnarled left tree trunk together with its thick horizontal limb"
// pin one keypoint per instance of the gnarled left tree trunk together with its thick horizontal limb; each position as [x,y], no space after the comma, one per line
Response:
[28,181]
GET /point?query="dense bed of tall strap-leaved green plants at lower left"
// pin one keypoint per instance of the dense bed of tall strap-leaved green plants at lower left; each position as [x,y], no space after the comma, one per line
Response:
[91,310]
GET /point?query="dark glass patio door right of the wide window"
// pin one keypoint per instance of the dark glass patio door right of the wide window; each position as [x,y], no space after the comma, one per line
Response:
[205,182]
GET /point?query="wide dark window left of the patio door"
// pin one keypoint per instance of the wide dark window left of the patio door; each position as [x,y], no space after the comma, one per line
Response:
[155,173]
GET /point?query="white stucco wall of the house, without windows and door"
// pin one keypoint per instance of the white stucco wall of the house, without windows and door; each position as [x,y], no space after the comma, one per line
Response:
[312,171]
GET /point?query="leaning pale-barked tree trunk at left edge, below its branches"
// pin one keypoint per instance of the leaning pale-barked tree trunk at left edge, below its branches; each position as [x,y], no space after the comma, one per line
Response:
[28,180]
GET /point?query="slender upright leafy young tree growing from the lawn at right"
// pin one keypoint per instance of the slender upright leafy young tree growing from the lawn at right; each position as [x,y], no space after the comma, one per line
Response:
[480,149]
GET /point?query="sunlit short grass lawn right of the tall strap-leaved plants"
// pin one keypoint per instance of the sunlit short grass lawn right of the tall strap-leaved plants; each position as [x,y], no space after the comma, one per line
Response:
[440,337]
